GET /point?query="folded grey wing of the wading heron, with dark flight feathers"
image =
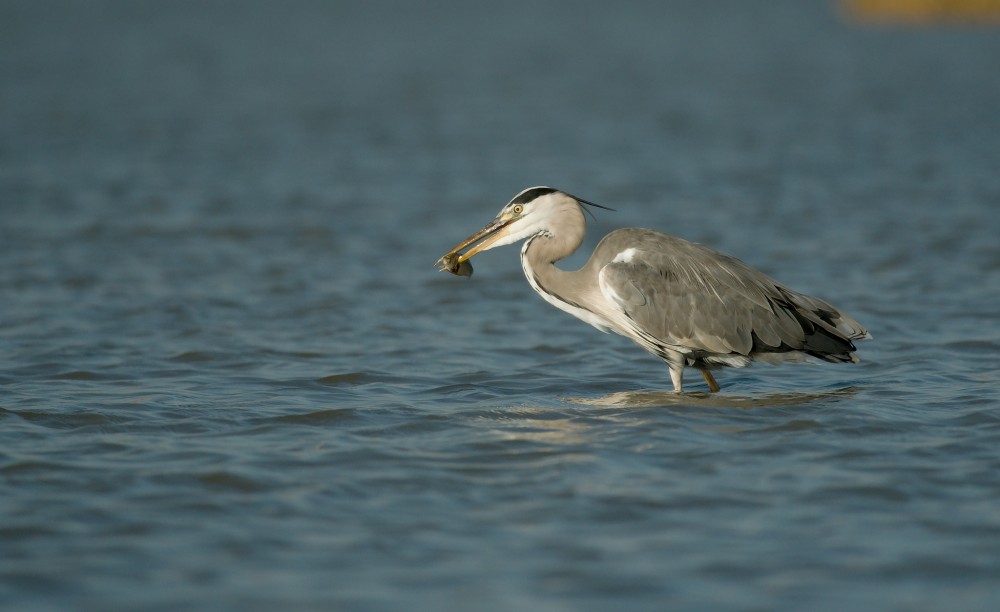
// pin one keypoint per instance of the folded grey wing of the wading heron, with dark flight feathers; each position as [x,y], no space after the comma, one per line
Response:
[685,295]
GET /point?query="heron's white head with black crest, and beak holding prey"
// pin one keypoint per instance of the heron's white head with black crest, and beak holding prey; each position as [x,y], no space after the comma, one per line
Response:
[535,210]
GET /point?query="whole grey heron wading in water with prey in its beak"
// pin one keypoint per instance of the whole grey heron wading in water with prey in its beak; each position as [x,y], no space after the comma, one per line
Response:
[689,305]
